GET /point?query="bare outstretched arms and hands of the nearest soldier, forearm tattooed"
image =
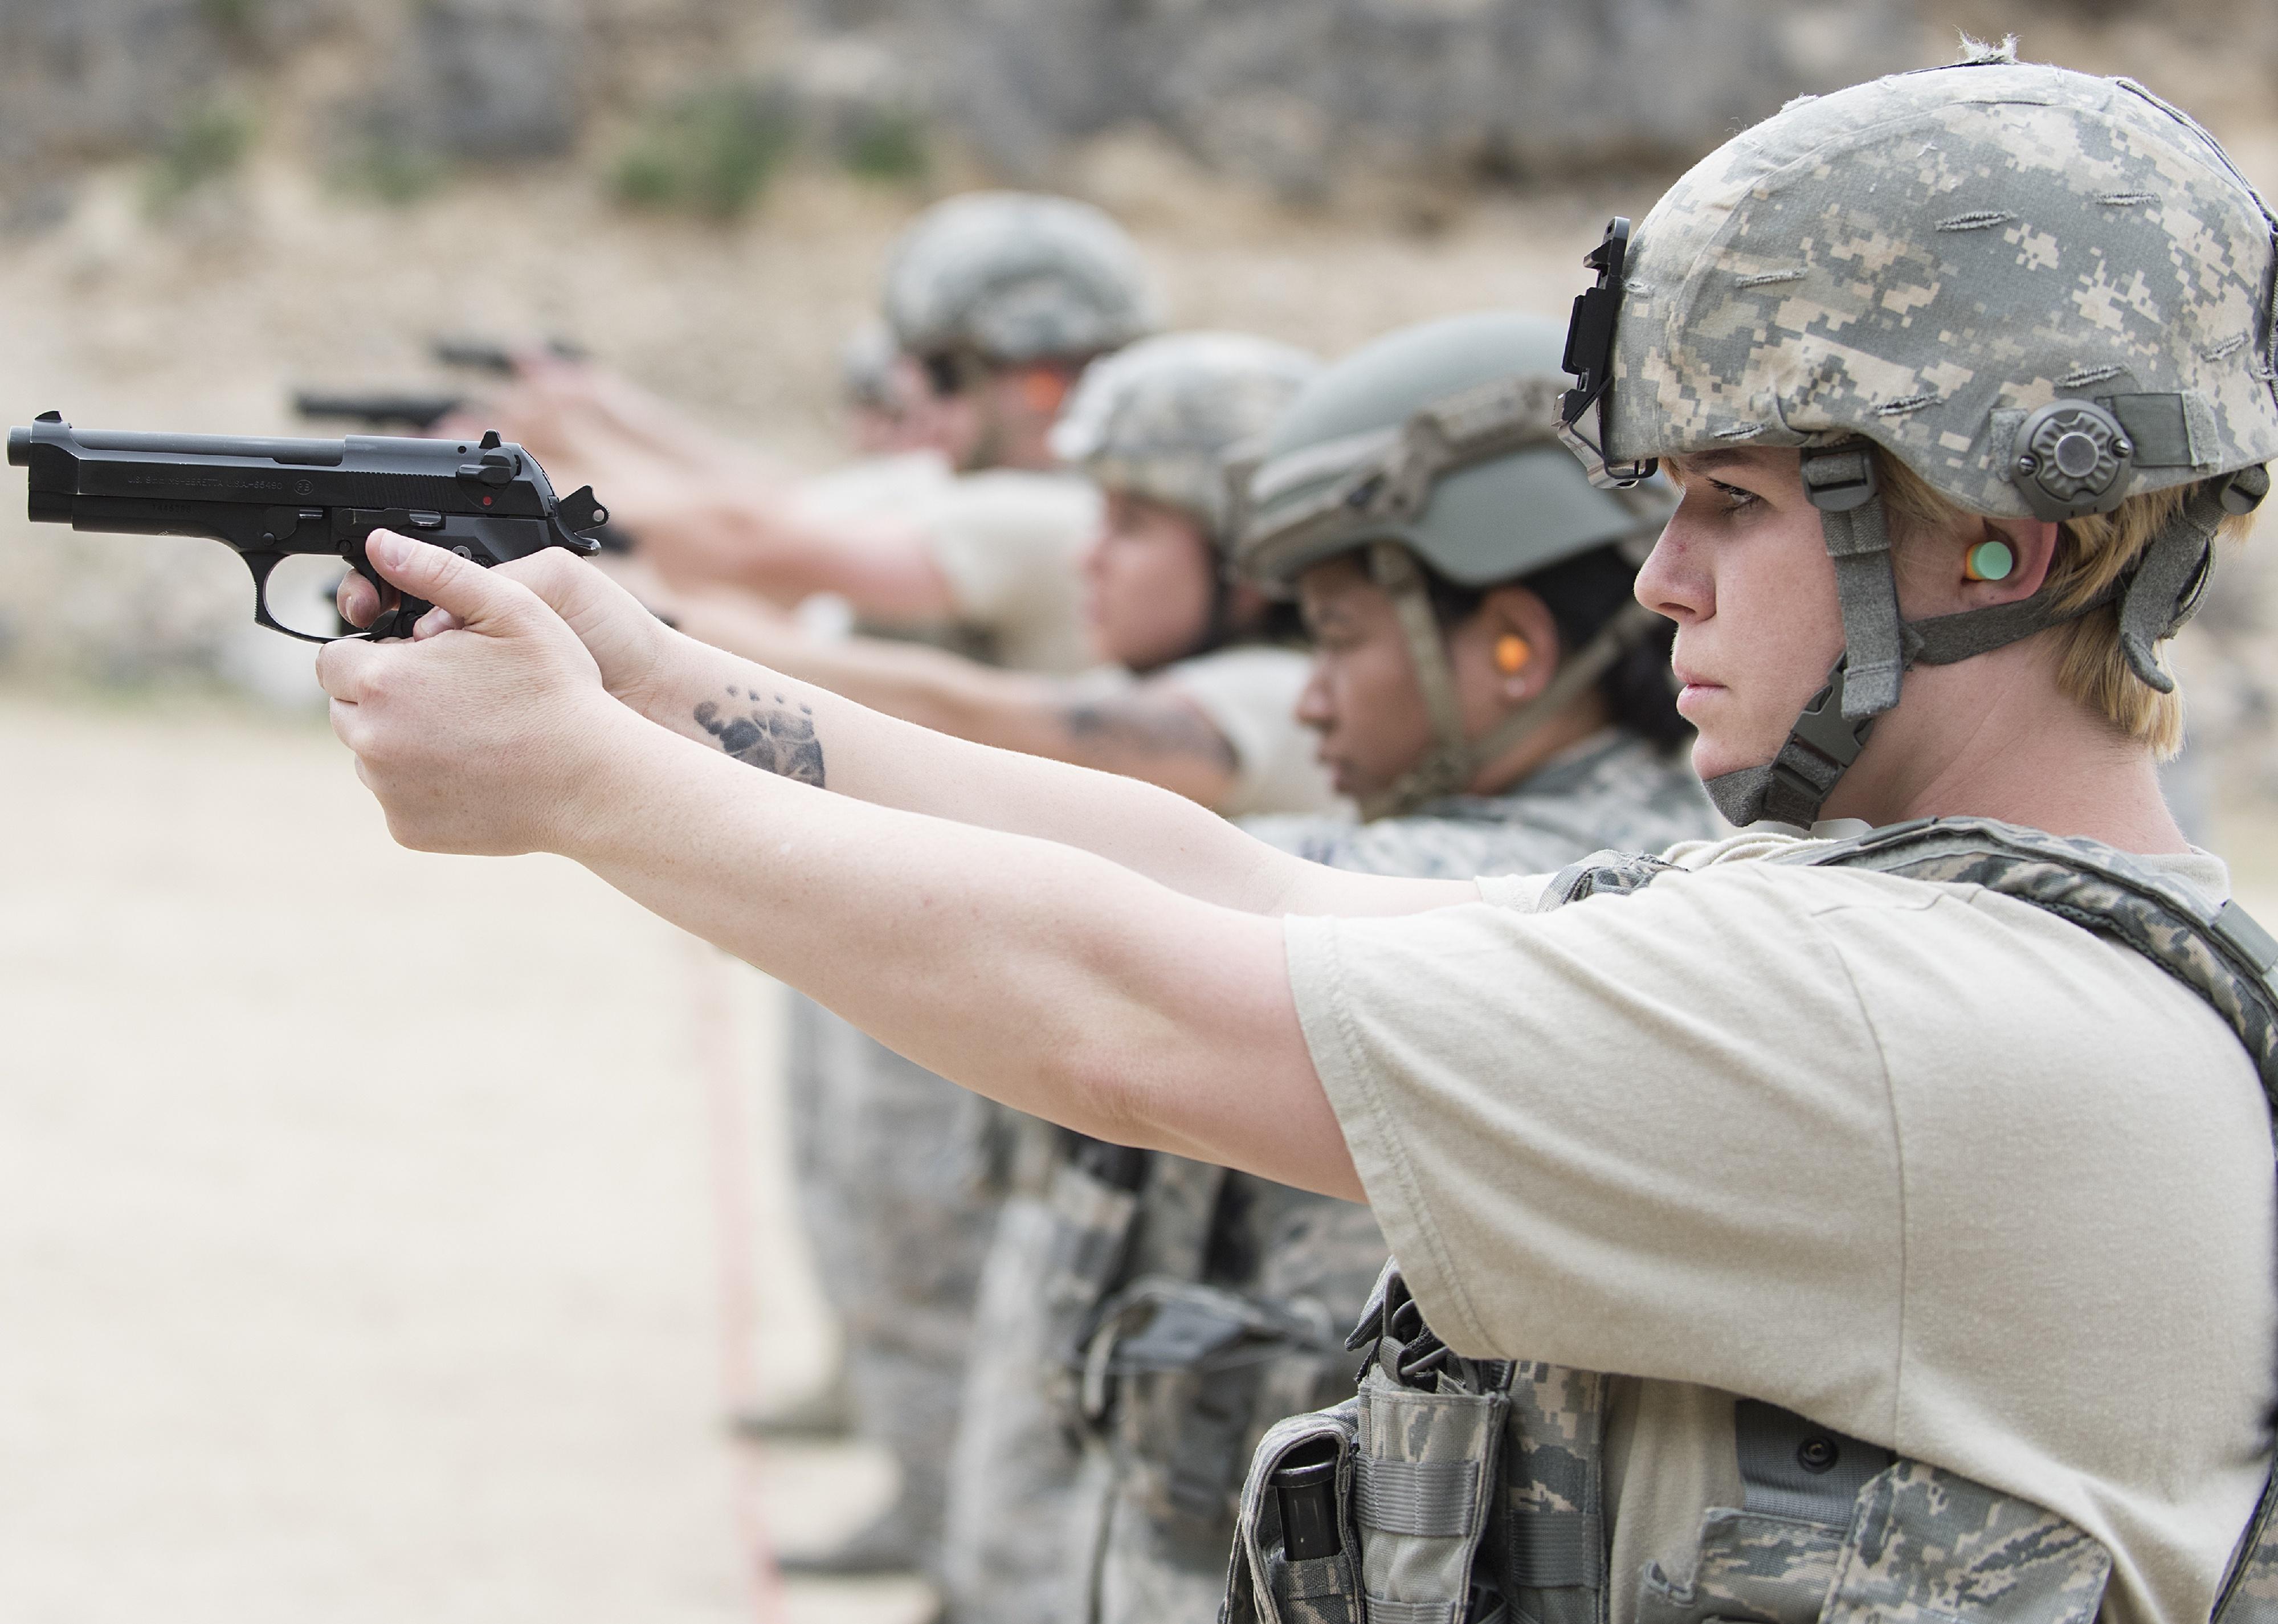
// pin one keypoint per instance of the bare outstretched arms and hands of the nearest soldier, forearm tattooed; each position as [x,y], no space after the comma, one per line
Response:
[1038,974]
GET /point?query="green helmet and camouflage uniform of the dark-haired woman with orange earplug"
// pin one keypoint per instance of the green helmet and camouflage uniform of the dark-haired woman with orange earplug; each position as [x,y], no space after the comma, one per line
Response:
[1161,1313]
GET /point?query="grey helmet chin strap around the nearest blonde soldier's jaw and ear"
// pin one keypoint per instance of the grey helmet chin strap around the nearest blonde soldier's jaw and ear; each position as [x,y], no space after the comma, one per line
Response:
[2156,600]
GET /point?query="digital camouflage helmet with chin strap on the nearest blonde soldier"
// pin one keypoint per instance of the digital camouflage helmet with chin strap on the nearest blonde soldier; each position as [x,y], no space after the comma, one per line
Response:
[2038,290]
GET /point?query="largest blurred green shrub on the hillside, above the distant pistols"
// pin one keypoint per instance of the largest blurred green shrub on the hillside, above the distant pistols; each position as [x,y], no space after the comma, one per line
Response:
[707,154]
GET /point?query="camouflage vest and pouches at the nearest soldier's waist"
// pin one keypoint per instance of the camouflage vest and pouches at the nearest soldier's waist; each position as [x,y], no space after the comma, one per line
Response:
[1910,1545]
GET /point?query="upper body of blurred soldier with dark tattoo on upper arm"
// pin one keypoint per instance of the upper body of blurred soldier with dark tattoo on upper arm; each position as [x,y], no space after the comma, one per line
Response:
[1202,680]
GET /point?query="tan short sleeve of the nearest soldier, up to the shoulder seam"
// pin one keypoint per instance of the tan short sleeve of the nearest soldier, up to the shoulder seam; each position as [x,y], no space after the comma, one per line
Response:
[1623,1135]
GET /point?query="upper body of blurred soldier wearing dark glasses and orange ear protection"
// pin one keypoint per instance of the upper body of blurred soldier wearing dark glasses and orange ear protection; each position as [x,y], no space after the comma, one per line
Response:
[999,300]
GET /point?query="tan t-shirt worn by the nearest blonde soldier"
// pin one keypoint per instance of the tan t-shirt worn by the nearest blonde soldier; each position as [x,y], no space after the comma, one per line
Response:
[1926,1165]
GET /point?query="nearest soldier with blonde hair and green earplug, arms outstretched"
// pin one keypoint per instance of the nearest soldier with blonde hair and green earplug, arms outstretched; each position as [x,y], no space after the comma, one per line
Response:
[1810,1227]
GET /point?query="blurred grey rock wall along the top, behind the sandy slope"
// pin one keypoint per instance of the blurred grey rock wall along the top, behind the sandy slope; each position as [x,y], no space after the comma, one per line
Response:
[1286,92]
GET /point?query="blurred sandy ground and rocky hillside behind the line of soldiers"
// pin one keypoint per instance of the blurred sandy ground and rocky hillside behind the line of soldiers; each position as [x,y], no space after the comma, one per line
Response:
[384,1236]
